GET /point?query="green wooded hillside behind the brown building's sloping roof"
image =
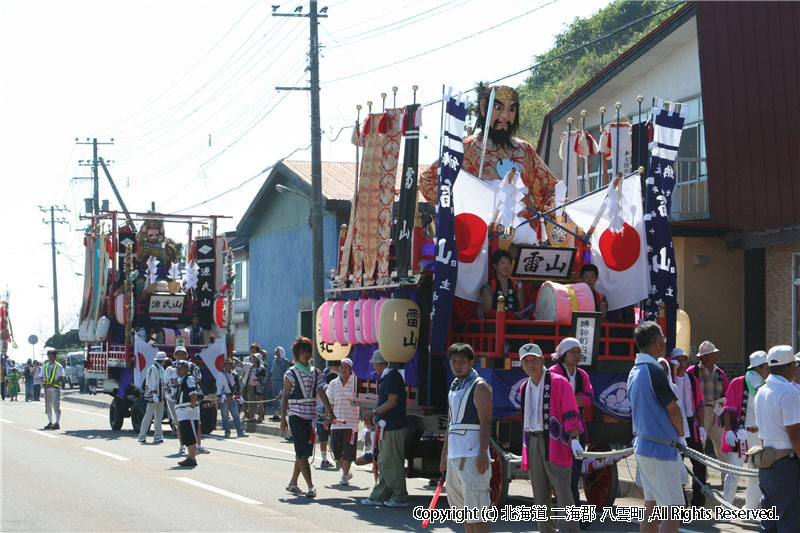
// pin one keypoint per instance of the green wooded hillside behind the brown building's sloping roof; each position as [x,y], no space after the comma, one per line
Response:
[555,78]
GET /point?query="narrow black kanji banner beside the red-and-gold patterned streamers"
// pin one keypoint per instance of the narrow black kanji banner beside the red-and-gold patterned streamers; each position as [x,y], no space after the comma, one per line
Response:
[408,192]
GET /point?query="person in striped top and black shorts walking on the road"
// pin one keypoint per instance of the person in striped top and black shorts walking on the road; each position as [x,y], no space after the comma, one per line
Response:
[301,385]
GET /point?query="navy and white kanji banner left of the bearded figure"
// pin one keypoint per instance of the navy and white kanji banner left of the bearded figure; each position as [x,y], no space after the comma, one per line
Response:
[445,267]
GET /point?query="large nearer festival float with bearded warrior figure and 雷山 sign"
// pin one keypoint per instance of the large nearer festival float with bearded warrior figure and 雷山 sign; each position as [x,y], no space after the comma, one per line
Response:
[409,279]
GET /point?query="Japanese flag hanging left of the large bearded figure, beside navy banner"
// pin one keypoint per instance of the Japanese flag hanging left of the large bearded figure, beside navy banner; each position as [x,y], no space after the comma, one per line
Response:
[473,202]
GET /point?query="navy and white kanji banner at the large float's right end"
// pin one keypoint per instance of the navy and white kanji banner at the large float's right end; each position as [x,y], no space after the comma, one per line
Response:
[668,118]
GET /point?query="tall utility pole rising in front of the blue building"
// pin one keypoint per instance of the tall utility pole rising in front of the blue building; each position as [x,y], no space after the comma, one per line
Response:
[317,245]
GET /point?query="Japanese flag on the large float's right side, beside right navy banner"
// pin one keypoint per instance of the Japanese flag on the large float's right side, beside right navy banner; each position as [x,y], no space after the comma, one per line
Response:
[619,246]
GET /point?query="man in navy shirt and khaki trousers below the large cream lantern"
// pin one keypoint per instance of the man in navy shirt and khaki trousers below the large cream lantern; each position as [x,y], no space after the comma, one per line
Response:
[390,489]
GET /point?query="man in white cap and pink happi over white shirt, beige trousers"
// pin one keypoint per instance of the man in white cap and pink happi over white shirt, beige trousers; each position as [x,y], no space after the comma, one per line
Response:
[551,426]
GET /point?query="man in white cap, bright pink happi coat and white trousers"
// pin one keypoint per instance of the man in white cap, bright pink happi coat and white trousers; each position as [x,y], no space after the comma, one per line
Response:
[741,432]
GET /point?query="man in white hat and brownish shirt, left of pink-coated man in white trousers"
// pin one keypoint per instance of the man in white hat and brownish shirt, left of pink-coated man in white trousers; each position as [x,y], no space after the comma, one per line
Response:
[714,383]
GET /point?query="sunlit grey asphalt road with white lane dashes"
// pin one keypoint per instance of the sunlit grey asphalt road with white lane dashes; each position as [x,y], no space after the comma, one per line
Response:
[86,477]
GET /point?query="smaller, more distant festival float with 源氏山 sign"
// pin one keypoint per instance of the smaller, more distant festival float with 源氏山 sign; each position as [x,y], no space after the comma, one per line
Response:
[141,292]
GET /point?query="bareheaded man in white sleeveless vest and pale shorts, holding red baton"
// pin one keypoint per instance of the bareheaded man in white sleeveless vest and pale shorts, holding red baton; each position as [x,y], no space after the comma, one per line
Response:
[465,455]
